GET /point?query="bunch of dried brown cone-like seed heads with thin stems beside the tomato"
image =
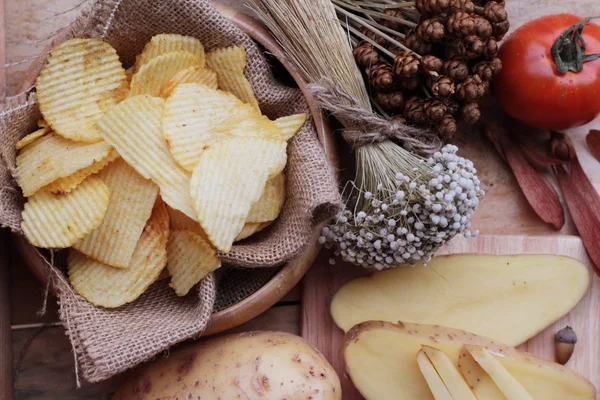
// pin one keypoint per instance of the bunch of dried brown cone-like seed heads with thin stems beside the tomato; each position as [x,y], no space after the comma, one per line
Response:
[428,61]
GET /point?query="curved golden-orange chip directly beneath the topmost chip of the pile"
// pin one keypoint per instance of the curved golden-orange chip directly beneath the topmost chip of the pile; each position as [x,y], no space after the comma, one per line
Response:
[156,73]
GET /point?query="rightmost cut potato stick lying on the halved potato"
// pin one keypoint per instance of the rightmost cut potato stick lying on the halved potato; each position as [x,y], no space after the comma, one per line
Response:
[511,387]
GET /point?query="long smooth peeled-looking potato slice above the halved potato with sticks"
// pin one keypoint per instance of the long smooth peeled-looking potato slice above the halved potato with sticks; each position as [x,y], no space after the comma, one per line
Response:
[507,298]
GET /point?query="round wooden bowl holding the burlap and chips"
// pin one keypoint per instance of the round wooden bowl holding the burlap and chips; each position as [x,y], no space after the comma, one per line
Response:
[291,273]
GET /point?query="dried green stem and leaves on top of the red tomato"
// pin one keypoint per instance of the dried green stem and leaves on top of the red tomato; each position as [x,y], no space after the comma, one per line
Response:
[568,51]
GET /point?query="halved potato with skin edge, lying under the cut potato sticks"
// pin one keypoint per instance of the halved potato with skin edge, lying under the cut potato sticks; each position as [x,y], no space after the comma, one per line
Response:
[380,360]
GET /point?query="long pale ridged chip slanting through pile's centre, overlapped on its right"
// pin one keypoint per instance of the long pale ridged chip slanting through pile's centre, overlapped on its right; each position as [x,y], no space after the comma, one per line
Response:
[133,127]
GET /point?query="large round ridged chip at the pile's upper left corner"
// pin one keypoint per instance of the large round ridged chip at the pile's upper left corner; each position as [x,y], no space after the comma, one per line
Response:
[82,79]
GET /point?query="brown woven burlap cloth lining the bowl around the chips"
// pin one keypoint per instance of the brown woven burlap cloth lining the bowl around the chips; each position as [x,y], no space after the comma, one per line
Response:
[107,342]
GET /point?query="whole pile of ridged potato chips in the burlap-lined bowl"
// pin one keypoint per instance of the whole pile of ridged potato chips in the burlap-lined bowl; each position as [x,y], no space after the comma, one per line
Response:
[160,165]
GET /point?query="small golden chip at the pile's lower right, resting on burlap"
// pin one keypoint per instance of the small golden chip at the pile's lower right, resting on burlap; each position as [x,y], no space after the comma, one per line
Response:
[189,260]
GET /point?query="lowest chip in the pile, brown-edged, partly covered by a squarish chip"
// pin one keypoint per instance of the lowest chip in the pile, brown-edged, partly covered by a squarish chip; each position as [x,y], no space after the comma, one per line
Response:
[106,286]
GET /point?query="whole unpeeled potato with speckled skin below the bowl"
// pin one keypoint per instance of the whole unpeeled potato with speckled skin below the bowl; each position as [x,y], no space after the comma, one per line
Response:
[248,366]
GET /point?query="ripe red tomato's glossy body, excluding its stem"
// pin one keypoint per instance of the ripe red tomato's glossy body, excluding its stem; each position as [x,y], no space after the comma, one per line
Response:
[530,87]
